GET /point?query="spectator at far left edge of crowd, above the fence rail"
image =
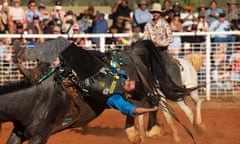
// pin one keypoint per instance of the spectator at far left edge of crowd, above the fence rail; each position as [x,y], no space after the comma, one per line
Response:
[4,17]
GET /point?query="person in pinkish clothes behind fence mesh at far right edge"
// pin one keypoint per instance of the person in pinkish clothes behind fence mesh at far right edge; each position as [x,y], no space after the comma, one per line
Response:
[235,68]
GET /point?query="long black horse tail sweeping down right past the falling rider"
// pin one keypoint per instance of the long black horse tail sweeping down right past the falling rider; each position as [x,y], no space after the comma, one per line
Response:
[156,66]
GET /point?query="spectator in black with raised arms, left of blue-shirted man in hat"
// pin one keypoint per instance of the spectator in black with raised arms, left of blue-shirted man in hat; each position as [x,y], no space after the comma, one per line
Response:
[121,8]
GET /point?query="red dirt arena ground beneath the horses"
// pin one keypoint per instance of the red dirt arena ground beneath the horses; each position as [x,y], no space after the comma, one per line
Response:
[221,118]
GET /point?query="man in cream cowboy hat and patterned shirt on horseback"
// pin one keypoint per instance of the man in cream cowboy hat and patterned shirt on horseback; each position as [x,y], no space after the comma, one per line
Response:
[159,32]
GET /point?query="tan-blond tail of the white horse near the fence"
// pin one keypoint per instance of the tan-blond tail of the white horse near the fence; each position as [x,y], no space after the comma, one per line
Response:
[196,60]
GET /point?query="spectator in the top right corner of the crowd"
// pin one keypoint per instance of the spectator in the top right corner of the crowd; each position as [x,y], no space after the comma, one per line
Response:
[232,10]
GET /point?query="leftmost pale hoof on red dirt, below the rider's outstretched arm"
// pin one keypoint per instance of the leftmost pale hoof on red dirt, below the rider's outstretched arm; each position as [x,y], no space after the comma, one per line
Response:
[133,135]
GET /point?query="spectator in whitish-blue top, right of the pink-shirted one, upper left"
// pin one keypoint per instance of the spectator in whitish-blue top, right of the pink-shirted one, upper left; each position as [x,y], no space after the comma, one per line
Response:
[31,11]
